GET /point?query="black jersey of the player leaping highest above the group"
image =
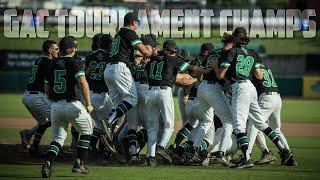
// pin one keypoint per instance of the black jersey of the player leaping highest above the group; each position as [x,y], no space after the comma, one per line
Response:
[123,46]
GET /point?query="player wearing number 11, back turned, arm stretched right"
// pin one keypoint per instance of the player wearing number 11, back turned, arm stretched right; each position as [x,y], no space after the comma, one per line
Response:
[162,71]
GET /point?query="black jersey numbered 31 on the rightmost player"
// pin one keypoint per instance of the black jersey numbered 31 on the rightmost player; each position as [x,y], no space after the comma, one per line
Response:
[267,84]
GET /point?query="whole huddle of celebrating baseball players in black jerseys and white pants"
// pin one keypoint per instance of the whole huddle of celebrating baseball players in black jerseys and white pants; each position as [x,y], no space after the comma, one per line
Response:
[228,100]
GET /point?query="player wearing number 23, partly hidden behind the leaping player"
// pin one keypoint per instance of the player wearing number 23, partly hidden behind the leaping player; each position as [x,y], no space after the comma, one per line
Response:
[95,64]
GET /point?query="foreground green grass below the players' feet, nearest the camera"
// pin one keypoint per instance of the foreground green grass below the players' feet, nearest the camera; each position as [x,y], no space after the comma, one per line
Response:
[305,149]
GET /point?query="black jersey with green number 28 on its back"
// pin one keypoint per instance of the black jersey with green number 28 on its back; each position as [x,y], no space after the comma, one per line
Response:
[240,62]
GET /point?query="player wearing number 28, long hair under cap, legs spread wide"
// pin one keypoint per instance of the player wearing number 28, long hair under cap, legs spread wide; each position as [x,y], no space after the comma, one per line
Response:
[238,65]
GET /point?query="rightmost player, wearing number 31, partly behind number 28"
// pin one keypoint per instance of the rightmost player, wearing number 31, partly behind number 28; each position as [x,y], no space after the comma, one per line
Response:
[270,104]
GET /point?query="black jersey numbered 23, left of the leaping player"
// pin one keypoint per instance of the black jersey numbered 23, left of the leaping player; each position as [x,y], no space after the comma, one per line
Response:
[96,63]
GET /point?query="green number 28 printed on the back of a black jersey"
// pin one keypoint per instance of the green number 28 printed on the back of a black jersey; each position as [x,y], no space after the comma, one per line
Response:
[244,65]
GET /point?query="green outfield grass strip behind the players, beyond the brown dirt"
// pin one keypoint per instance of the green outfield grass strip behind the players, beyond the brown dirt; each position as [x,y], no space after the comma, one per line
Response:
[293,110]
